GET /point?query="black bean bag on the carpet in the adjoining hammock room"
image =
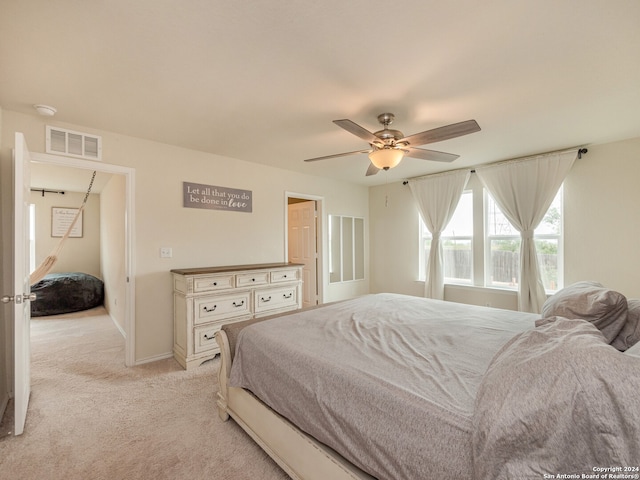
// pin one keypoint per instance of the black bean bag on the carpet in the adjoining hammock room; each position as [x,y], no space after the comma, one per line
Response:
[59,293]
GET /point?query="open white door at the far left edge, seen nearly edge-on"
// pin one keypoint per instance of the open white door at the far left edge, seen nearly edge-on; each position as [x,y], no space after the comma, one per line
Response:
[21,287]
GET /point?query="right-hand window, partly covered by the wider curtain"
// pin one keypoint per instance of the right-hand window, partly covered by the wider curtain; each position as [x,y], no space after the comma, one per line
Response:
[502,247]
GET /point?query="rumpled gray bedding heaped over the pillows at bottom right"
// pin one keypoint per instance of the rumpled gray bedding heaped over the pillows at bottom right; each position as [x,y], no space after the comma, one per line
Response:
[558,401]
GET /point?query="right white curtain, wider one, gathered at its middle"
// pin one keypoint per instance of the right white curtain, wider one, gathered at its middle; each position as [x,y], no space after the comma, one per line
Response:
[524,190]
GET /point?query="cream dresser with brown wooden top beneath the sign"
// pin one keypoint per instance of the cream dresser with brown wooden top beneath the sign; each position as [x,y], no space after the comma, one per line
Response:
[206,298]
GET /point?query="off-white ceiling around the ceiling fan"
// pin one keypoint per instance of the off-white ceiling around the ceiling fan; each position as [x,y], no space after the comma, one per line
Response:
[262,81]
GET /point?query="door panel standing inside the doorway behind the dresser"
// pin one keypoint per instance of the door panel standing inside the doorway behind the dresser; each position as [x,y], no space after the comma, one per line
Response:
[303,247]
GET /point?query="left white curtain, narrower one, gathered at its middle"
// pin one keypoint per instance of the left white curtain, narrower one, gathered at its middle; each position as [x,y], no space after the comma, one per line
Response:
[437,197]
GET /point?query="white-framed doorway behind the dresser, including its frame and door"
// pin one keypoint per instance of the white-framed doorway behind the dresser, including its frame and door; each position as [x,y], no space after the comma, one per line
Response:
[303,245]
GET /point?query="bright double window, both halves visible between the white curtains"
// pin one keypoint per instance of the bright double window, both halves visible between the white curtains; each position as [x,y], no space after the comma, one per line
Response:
[496,245]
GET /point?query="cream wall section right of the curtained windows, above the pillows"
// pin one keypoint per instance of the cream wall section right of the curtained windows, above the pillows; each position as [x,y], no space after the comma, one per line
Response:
[602,223]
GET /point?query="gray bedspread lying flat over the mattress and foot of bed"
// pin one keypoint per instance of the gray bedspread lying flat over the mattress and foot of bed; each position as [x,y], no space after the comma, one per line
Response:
[389,381]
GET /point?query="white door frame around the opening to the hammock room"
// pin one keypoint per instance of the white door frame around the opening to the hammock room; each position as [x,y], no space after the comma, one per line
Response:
[130,257]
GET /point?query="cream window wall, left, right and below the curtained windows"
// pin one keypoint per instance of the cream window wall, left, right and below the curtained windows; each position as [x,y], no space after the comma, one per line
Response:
[602,229]
